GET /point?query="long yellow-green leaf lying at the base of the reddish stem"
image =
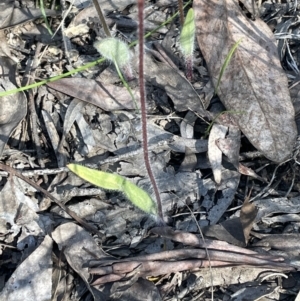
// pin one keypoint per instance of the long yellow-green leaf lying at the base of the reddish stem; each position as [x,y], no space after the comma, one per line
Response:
[105,180]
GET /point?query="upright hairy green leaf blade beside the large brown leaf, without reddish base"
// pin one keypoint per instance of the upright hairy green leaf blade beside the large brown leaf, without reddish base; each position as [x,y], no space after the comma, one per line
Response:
[187,36]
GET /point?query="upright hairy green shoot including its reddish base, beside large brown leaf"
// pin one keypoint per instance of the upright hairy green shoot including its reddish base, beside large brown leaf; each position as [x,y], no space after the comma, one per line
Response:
[187,42]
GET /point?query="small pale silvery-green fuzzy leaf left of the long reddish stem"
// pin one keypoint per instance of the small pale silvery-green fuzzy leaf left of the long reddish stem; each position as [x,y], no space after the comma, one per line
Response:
[114,50]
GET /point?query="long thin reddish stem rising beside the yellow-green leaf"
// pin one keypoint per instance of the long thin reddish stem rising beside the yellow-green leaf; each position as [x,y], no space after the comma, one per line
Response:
[143,107]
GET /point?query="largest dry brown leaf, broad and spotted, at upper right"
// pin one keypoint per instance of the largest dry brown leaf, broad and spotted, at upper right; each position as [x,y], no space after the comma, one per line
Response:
[253,82]
